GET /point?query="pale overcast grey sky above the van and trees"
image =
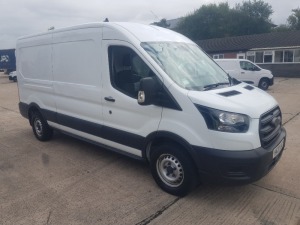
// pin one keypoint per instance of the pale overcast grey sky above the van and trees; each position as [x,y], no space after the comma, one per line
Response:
[23,17]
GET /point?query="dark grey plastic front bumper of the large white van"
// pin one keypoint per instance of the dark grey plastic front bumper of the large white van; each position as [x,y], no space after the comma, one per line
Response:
[220,166]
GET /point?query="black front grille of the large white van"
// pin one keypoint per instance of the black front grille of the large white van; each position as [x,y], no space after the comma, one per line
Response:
[270,127]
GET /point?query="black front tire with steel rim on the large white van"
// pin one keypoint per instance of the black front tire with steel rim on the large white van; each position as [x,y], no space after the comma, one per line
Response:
[173,170]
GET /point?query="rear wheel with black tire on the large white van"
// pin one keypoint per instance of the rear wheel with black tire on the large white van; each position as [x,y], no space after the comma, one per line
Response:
[40,127]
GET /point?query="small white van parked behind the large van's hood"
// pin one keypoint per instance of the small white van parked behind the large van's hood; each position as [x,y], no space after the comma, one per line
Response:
[247,71]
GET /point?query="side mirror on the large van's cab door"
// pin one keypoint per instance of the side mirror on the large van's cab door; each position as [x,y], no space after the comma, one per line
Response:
[147,91]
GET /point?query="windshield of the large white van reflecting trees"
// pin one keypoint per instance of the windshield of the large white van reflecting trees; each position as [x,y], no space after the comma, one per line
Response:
[187,65]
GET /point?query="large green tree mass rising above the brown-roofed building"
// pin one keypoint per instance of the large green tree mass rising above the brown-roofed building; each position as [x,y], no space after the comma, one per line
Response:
[217,21]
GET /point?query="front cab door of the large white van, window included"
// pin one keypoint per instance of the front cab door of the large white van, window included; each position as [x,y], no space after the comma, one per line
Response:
[126,123]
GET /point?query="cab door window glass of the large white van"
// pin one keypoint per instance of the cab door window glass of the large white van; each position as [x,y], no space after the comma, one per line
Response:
[126,70]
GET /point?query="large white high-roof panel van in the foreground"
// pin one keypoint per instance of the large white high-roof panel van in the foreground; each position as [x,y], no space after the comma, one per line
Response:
[152,94]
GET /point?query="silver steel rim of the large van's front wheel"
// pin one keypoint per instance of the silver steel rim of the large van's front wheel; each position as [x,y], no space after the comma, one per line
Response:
[170,170]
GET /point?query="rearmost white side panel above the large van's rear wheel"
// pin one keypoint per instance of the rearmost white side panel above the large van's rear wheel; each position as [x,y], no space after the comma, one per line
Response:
[34,71]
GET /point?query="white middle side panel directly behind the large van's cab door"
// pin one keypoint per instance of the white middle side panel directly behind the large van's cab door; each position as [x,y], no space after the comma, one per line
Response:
[77,76]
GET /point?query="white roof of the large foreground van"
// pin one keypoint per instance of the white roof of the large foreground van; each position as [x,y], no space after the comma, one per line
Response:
[144,33]
